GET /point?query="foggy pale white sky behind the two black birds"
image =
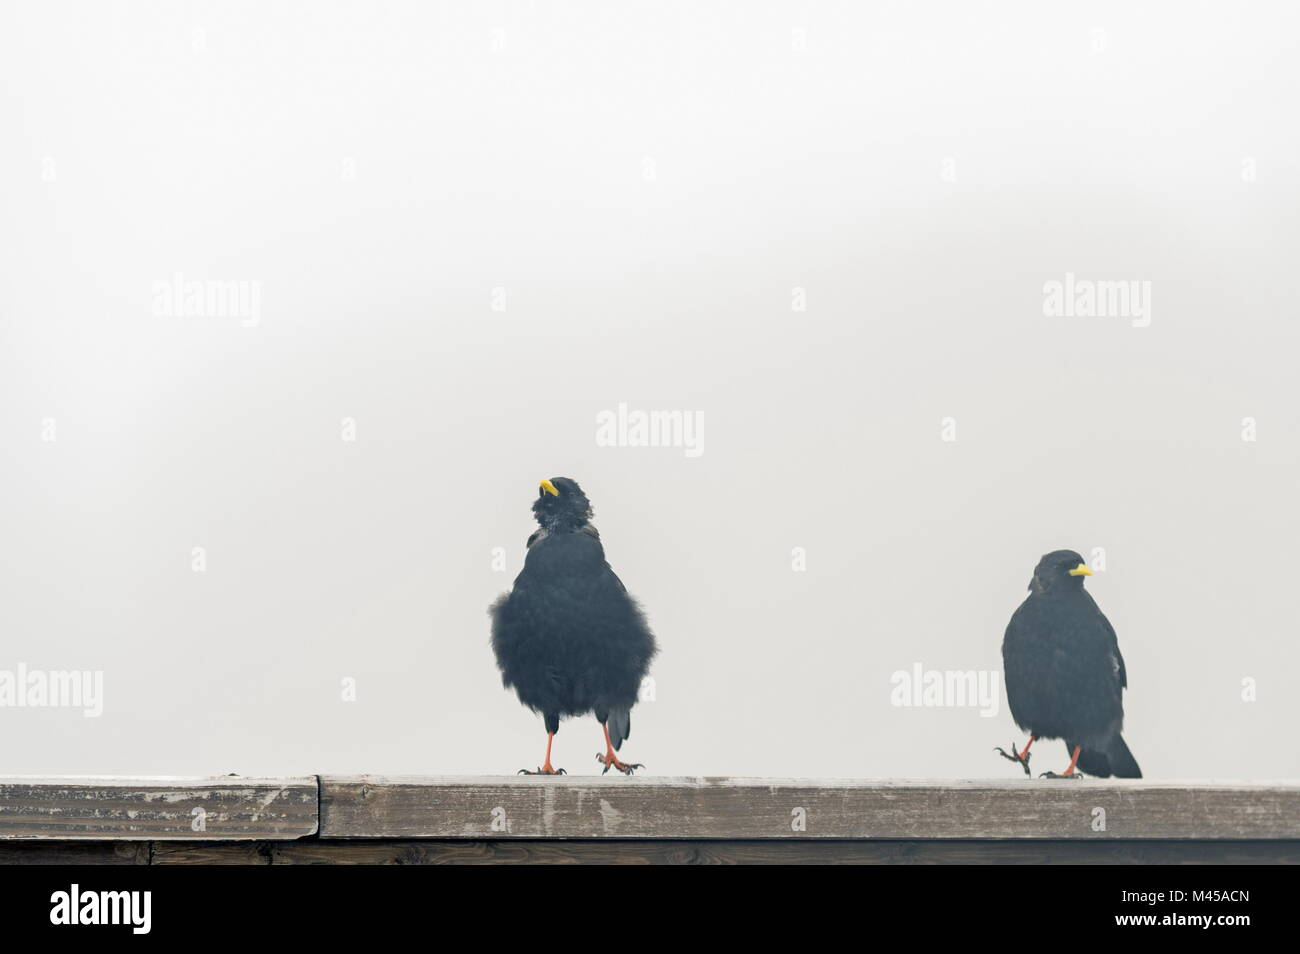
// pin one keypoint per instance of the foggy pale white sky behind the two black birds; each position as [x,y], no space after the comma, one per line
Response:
[644,188]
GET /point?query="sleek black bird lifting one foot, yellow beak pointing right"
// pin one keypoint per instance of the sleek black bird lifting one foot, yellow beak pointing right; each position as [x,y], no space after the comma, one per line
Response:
[1064,674]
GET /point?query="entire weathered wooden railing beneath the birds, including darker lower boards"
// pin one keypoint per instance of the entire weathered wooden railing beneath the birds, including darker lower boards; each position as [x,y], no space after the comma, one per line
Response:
[317,819]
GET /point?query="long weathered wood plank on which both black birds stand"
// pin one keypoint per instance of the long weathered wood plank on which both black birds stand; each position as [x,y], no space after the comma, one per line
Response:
[509,808]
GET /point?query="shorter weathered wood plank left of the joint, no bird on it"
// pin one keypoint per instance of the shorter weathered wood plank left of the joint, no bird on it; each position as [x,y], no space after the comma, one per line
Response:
[223,808]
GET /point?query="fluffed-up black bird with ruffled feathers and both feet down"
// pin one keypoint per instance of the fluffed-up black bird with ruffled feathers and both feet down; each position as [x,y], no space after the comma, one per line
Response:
[569,638]
